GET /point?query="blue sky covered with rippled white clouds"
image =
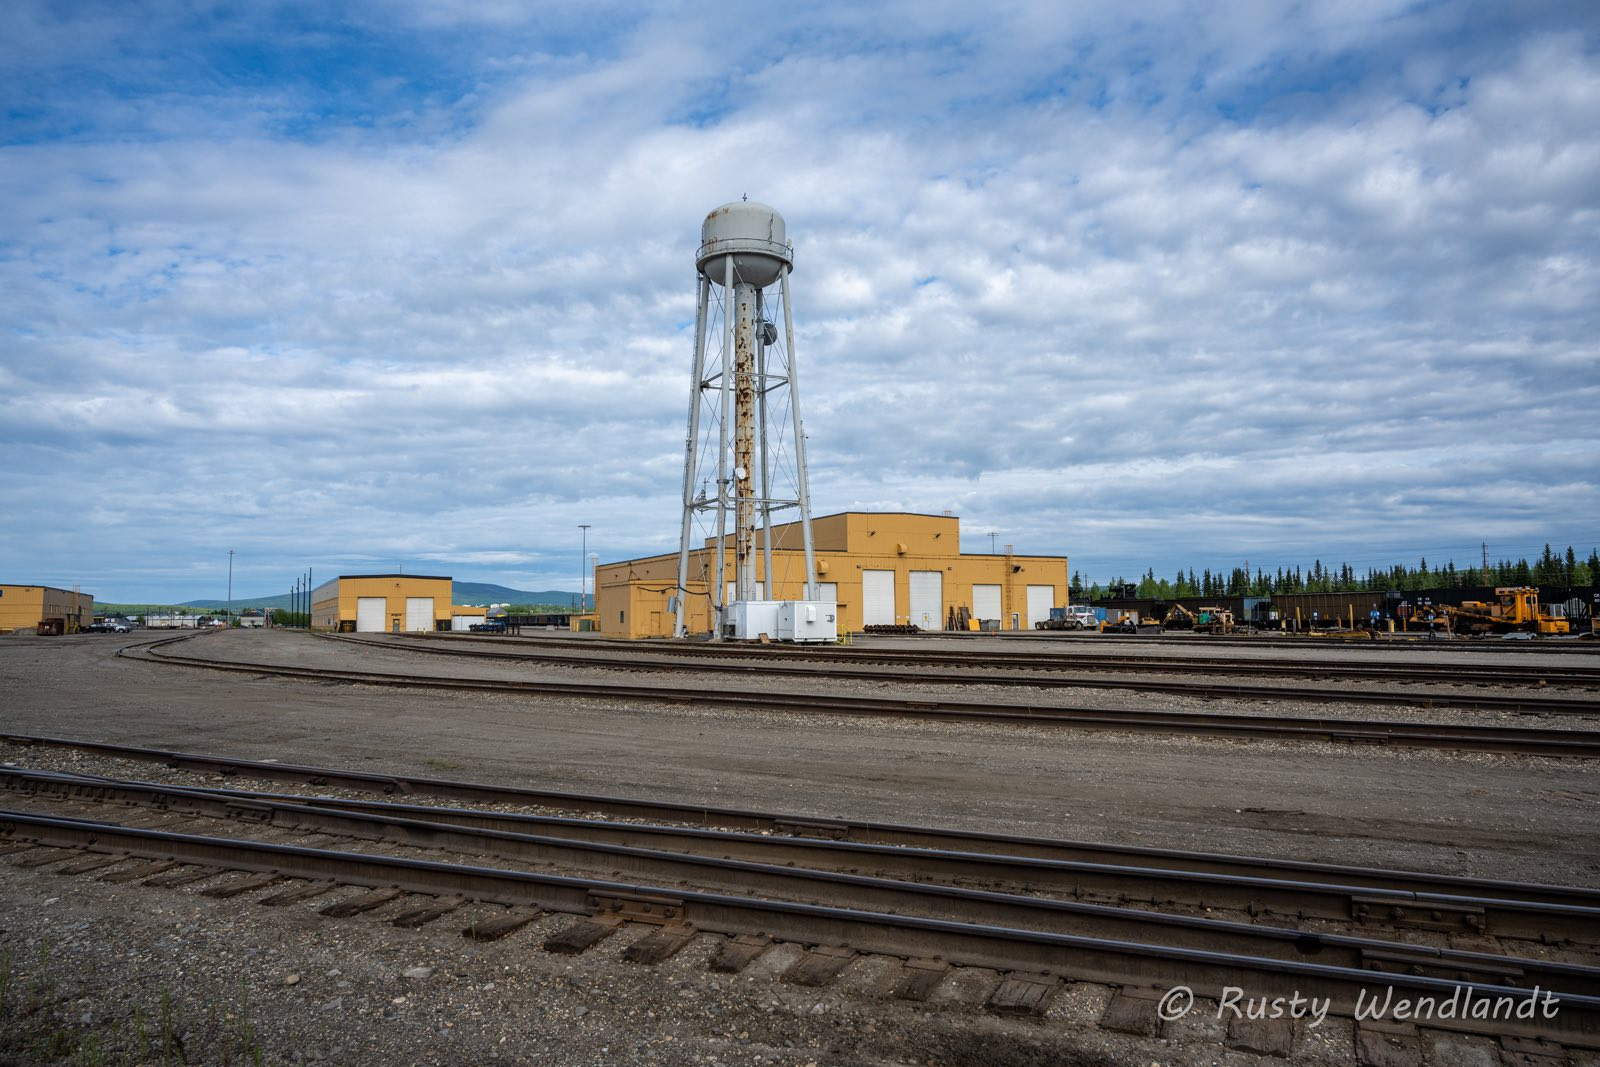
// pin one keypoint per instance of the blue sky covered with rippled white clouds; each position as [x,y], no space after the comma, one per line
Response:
[410,284]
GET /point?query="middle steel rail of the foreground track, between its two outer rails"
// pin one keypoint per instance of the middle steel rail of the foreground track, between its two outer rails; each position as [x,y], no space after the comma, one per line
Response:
[1098,884]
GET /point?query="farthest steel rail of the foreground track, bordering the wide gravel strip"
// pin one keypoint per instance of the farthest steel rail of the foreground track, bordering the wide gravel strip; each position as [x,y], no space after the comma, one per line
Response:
[833,829]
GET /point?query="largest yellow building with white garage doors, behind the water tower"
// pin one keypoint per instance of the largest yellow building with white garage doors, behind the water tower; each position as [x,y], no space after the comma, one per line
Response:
[879,569]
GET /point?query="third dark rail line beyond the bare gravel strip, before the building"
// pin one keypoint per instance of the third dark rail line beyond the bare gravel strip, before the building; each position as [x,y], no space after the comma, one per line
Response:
[580,652]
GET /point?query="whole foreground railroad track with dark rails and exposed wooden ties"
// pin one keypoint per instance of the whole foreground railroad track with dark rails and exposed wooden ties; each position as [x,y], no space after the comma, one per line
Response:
[690,885]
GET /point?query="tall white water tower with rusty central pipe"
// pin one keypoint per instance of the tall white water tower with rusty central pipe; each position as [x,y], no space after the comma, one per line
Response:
[745,370]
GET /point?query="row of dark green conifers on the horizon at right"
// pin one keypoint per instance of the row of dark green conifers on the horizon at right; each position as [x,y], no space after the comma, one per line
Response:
[1551,569]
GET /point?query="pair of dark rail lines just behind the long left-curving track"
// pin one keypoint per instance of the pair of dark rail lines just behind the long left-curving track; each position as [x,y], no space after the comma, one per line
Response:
[1070,673]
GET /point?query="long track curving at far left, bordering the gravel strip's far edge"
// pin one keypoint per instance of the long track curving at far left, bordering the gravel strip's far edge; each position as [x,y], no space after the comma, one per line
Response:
[1449,737]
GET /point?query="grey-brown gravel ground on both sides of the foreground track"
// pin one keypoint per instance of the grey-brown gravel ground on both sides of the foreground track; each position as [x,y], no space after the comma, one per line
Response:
[113,956]
